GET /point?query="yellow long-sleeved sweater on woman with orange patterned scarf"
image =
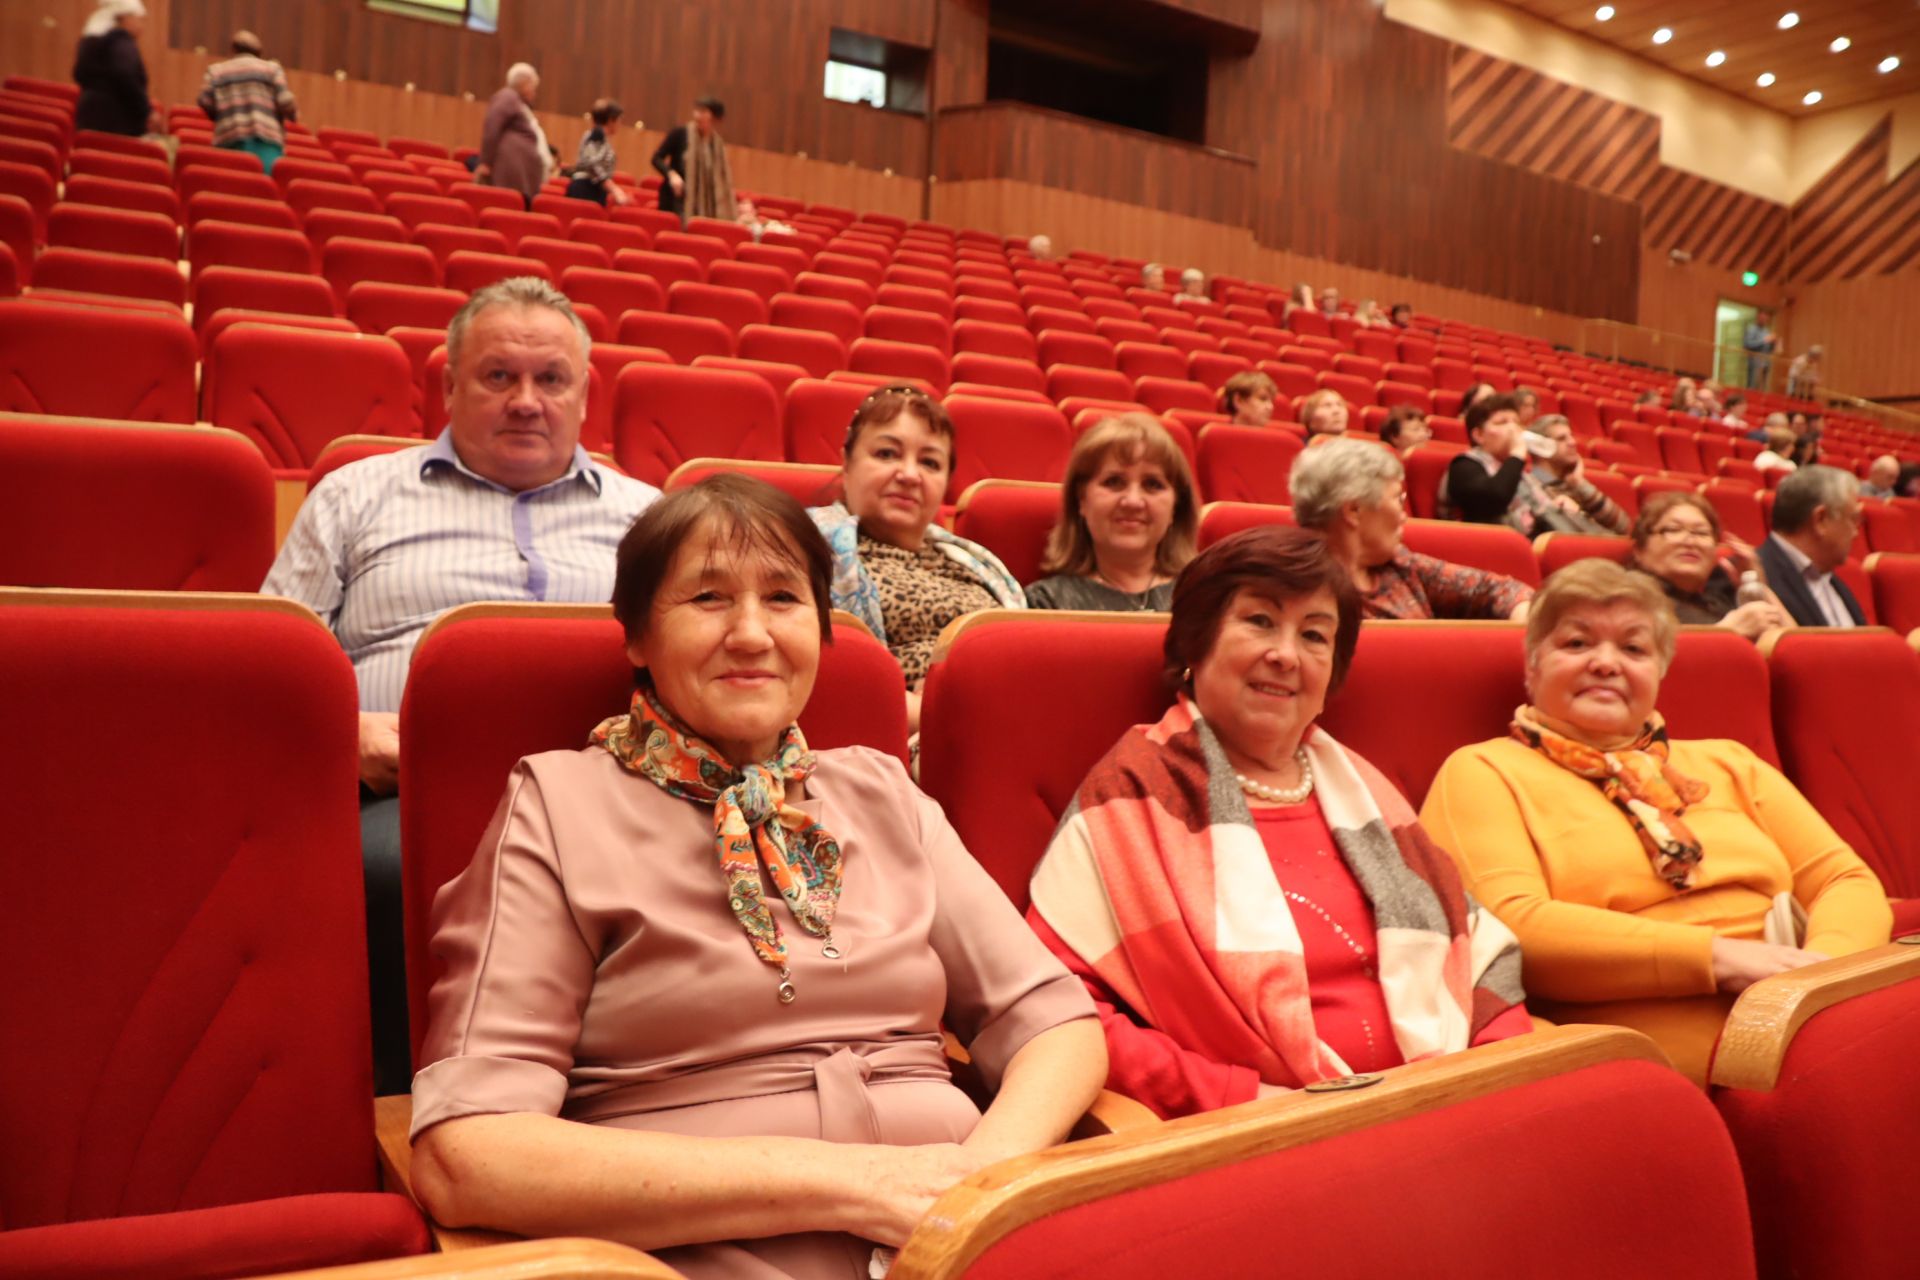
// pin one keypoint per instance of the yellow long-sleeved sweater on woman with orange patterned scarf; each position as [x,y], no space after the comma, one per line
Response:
[1602,937]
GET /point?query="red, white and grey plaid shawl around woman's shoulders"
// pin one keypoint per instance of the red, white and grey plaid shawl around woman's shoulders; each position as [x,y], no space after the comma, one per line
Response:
[1161,882]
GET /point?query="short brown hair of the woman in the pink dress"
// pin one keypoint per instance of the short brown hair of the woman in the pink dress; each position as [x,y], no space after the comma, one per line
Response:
[752,511]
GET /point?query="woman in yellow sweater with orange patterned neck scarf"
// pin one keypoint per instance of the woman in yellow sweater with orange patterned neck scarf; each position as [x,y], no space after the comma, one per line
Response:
[1648,882]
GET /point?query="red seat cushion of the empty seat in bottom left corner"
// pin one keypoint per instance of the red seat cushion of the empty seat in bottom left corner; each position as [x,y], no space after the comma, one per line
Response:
[264,1237]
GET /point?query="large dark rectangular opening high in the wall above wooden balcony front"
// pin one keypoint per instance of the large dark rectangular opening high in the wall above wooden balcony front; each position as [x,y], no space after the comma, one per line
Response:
[1101,62]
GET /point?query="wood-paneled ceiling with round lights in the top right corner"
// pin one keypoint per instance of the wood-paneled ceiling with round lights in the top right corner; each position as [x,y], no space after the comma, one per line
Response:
[1748,32]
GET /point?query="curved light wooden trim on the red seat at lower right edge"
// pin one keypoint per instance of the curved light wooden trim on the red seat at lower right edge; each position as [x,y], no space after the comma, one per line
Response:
[1760,1031]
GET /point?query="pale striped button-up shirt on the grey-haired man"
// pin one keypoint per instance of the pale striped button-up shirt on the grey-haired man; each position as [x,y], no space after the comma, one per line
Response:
[385,546]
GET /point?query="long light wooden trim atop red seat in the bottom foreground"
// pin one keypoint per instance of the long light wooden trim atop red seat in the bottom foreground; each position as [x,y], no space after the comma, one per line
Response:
[997,1200]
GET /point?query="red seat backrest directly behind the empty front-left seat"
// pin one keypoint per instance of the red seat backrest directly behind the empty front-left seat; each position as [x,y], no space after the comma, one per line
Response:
[133,508]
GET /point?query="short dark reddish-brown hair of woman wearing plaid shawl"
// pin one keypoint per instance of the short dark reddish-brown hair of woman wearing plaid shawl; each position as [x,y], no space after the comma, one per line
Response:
[1276,559]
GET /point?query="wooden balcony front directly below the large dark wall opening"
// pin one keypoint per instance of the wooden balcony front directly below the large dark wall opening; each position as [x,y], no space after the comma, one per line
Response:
[1009,139]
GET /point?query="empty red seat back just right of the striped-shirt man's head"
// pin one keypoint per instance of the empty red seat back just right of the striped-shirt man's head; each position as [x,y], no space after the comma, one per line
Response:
[665,415]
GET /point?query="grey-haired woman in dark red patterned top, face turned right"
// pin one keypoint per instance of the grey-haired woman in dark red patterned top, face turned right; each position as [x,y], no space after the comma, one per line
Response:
[1353,492]
